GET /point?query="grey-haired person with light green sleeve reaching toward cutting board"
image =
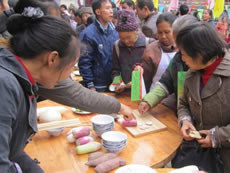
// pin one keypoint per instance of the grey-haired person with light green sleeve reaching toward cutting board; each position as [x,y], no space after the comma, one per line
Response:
[168,83]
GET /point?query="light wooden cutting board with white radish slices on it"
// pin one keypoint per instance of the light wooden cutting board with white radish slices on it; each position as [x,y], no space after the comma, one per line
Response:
[141,120]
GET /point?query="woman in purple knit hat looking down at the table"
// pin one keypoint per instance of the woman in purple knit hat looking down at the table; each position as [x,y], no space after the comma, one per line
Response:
[129,49]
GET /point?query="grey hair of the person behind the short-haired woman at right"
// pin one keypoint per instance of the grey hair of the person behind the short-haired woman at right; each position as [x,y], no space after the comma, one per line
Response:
[182,22]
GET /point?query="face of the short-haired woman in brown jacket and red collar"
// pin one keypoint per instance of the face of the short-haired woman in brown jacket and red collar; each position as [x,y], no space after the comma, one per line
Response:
[194,64]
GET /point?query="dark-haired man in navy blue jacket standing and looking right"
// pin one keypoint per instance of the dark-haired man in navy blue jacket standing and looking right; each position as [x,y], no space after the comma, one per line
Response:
[96,66]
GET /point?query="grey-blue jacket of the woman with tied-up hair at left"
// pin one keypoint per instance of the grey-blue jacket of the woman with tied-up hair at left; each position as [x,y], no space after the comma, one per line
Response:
[18,120]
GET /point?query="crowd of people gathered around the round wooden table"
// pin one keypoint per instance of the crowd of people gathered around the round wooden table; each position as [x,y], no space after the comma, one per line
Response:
[41,41]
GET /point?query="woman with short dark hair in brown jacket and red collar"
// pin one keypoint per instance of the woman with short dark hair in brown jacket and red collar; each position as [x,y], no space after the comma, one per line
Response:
[204,106]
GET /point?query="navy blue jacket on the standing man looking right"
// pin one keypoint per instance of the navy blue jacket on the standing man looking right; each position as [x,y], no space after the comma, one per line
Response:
[96,65]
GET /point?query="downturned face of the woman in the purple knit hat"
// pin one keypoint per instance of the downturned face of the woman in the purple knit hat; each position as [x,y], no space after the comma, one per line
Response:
[128,38]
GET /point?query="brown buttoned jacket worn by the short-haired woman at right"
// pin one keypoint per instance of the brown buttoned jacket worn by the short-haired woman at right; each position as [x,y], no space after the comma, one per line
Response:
[210,108]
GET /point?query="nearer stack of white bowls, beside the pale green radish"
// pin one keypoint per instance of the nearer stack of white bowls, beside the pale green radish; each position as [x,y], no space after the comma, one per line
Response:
[114,141]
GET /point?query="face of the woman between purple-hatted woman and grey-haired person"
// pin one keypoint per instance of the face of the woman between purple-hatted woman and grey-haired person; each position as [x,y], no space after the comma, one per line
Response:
[165,33]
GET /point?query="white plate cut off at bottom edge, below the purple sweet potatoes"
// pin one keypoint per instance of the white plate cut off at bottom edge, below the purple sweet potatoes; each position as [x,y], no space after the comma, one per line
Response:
[135,168]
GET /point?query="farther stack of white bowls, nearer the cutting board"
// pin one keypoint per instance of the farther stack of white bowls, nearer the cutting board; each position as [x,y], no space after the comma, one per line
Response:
[102,123]
